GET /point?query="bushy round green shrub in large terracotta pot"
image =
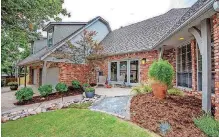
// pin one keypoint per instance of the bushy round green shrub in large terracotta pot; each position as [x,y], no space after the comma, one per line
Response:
[161,75]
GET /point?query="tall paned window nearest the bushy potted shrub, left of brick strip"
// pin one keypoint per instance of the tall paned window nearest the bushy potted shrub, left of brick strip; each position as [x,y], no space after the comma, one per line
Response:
[184,66]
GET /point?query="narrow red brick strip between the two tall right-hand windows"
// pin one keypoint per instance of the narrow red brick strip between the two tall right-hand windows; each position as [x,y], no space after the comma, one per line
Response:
[194,65]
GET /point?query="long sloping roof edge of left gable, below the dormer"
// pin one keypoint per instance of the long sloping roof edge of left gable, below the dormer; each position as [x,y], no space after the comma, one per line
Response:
[43,53]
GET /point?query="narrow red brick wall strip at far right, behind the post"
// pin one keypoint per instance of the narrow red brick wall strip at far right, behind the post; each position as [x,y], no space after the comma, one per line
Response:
[216,61]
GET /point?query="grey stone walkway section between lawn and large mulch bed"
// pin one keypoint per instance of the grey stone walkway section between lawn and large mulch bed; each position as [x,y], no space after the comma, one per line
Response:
[117,106]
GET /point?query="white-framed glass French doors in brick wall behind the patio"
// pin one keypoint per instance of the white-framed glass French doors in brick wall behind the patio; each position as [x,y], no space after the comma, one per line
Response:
[129,69]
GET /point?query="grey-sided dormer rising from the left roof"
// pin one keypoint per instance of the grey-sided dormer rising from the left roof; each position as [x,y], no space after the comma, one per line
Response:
[57,31]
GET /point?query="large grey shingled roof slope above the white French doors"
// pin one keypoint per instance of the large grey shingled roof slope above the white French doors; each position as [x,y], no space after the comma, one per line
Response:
[142,35]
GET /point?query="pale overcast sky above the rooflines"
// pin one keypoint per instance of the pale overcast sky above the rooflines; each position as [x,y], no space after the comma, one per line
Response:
[120,12]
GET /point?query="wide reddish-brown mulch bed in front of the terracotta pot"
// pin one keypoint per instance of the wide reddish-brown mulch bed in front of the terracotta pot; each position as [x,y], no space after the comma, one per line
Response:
[148,112]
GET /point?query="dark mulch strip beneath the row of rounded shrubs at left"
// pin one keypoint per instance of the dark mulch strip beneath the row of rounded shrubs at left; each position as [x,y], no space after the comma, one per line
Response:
[37,99]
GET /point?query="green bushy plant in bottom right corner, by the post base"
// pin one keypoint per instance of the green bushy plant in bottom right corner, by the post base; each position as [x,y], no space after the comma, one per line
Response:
[208,125]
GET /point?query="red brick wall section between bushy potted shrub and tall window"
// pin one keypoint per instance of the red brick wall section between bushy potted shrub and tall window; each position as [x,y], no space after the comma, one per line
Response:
[170,55]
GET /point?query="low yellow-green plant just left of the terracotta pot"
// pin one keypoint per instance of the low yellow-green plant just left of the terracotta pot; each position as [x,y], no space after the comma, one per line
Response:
[141,89]
